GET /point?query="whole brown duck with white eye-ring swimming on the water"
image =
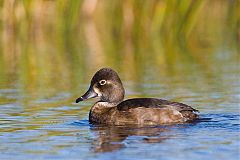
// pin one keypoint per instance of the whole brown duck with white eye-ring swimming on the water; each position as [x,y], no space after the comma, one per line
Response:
[112,109]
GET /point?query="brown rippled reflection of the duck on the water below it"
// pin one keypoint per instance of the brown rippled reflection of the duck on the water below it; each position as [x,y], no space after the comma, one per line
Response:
[111,138]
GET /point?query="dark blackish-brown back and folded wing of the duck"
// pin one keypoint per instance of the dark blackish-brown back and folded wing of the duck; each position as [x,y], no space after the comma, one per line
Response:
[153,103]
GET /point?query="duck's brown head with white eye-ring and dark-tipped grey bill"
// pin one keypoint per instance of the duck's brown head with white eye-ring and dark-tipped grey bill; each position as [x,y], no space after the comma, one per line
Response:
[106,85]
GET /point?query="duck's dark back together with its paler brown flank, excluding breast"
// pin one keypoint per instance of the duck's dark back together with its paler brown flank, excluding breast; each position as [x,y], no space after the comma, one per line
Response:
[158,111]
